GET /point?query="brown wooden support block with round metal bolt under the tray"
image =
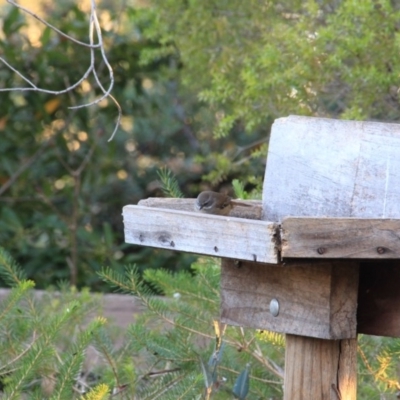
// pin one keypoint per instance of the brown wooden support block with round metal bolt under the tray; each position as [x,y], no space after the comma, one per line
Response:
[315,299]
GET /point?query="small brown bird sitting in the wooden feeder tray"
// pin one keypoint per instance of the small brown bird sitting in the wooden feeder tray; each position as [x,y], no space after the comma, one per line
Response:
[216,203]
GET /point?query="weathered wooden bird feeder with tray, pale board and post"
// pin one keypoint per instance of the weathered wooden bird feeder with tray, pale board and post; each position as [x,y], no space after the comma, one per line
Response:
[317,260]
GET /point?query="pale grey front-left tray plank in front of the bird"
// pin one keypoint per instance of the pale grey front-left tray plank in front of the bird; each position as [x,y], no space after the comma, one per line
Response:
[199,233]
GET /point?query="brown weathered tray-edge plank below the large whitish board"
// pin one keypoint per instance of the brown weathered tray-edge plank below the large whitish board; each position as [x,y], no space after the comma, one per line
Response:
[340,238]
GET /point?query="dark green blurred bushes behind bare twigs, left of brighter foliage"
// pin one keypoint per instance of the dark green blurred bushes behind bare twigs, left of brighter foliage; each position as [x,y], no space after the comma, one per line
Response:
[62,184]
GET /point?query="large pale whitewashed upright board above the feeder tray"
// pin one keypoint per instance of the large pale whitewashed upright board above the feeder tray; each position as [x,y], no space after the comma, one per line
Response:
[326,167]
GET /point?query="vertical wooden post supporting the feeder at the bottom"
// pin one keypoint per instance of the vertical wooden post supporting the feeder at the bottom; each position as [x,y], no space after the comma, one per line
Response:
[320,369]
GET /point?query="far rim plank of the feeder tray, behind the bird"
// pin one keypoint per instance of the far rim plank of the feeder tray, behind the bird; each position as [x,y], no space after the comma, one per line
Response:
[188,205]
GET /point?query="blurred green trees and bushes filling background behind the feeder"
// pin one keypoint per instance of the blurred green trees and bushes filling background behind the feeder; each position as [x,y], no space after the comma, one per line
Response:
[200,83]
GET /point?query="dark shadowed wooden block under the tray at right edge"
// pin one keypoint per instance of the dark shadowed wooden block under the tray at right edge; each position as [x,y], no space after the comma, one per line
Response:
[379,299]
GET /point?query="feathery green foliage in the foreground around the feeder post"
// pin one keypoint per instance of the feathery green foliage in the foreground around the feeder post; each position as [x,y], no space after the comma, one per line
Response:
[44,340]
